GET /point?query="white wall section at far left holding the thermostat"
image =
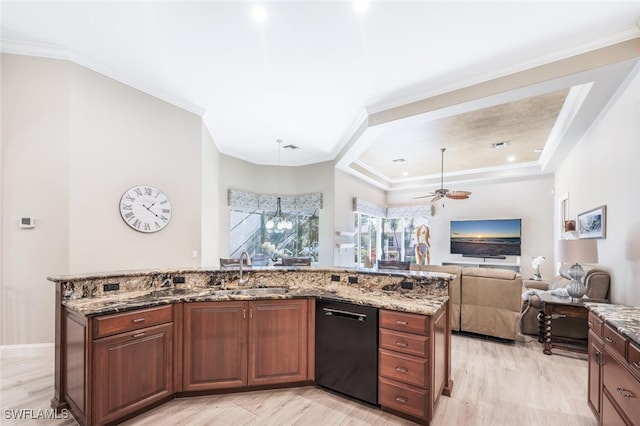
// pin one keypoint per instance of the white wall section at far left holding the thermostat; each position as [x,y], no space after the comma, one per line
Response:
[35,182]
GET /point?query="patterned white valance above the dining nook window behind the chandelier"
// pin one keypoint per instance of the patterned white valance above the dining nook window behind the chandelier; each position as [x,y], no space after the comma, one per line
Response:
[252,201]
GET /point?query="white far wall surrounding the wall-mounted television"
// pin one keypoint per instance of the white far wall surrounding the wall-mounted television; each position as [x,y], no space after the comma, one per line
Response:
[530,200]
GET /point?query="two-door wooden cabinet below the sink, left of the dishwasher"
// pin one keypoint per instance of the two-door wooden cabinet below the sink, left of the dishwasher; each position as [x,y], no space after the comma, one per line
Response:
[235,344]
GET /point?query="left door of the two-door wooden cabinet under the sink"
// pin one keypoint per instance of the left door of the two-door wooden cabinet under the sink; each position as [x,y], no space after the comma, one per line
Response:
[215,345]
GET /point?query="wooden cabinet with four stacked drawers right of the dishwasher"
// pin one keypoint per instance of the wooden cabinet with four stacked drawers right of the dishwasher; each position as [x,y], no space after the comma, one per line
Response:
[413,362]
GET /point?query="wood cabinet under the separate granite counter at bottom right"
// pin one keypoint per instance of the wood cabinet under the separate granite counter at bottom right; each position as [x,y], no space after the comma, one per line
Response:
[618,397]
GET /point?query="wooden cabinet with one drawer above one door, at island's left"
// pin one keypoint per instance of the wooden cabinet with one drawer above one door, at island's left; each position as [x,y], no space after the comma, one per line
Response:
[131,362]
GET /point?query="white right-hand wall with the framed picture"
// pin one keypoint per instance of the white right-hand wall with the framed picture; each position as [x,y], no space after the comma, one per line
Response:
[604,169]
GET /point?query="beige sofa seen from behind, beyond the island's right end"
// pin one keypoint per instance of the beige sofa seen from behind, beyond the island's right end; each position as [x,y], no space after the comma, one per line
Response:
[483,300]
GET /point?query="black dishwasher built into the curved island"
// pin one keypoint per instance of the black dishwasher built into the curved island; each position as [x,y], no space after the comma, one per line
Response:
[347,349]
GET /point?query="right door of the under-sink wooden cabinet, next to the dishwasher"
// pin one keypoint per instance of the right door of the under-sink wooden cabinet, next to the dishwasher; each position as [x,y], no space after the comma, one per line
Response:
[278,341]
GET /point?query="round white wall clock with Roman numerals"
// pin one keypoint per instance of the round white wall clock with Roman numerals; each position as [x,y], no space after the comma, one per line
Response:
[145,208]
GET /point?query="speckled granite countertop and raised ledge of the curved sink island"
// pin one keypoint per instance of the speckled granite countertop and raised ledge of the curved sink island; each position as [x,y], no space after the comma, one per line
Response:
[138,289]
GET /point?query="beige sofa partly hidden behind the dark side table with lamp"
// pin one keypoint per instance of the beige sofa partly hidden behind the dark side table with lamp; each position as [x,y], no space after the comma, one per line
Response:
[597,287]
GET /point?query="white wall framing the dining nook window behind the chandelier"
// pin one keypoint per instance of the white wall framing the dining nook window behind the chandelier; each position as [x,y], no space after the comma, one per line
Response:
[245,176]
